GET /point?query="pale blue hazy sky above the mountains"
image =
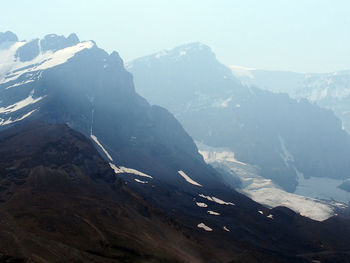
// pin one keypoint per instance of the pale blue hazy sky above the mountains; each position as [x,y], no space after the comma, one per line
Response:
[294,35]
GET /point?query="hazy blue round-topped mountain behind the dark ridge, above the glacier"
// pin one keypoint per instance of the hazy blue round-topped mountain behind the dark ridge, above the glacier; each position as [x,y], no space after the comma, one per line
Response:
[288,140]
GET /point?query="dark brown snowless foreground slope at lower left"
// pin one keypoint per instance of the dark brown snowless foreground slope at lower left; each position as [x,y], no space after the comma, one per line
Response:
[59,197]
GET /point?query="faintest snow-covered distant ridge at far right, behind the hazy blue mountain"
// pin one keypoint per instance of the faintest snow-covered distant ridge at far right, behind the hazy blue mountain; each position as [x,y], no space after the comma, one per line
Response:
[329,90]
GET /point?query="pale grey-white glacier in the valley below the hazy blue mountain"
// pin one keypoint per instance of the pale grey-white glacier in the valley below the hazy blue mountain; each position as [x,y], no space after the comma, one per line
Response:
[264,191]
